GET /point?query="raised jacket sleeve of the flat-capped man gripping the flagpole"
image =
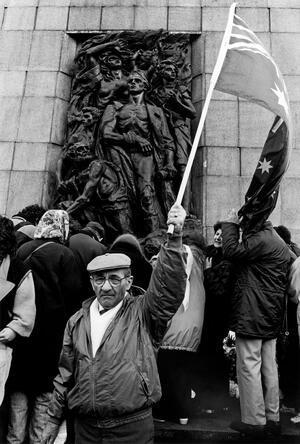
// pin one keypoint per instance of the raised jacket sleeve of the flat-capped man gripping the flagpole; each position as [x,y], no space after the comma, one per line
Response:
[166,288]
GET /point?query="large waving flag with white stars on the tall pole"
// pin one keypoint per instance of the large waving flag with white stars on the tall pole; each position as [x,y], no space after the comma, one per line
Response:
[249,71]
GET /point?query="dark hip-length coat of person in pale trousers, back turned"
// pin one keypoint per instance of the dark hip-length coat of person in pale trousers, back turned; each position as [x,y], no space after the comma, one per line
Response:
[262,262]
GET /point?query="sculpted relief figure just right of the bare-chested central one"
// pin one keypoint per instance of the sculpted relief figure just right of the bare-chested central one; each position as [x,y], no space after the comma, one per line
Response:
[175,100]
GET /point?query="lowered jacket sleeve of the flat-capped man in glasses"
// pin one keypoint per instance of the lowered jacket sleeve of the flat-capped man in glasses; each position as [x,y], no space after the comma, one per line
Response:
[64,379]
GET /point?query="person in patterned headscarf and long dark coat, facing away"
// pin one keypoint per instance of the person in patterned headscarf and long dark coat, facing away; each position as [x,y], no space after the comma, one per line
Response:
[35,362]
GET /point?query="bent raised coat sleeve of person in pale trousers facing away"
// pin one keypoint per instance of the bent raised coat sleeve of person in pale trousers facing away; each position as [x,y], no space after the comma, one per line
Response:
[249,249]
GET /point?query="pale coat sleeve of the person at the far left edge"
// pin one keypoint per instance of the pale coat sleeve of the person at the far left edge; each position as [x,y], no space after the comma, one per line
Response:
[23,312]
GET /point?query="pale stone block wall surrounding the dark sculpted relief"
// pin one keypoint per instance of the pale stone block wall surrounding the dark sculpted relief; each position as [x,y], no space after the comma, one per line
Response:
[38,44]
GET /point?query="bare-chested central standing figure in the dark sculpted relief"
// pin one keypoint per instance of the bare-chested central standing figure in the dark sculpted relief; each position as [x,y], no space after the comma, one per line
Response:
[136,137]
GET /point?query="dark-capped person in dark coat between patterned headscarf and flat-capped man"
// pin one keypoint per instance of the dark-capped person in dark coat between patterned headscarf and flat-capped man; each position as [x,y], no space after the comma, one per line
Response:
[86,245]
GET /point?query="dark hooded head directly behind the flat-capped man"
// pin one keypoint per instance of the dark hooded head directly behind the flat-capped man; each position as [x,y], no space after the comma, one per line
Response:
[141,268]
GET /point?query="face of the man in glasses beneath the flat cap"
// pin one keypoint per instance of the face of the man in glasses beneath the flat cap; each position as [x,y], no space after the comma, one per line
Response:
[111,286]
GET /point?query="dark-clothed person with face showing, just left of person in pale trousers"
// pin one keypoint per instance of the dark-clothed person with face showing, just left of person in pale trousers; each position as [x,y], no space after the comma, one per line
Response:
[214,371]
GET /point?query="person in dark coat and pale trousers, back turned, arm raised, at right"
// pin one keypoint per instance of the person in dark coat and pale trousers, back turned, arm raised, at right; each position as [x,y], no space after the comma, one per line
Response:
[261,263]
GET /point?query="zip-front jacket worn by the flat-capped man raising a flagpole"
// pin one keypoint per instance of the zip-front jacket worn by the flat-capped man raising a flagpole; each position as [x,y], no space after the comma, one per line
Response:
[122,379]
